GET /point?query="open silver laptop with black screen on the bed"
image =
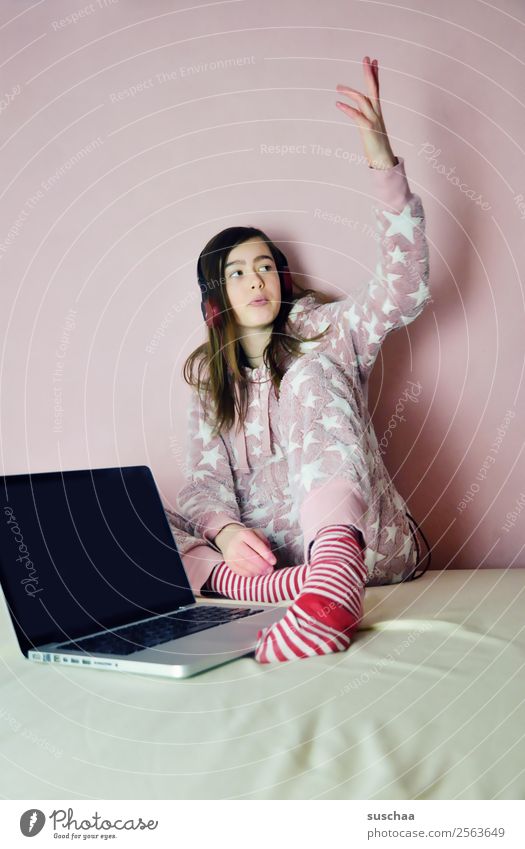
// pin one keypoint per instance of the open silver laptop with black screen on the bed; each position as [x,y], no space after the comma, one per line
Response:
[93,578]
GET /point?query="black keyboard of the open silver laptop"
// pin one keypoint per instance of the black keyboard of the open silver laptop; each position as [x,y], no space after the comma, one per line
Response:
[148,634]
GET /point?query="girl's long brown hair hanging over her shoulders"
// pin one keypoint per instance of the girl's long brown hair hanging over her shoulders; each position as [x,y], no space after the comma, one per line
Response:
[221,357]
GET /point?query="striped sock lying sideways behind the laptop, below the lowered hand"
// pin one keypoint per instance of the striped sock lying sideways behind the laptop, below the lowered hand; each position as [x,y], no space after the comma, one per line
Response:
[281,585]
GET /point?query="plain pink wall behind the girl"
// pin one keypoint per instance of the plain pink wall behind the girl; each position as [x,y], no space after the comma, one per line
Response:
[132,132]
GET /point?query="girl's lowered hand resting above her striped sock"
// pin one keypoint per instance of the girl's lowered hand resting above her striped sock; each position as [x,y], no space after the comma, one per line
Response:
[245,550]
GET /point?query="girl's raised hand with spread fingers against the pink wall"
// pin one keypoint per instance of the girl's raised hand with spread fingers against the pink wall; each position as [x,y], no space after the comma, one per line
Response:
[369,118]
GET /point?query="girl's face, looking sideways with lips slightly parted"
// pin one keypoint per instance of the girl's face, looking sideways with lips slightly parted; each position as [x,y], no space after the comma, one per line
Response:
[250,272]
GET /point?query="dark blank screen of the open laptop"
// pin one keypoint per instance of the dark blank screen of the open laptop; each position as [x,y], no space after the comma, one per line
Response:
[85,550]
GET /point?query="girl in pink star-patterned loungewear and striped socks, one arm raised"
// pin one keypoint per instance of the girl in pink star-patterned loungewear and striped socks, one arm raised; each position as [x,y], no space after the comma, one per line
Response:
[302,471]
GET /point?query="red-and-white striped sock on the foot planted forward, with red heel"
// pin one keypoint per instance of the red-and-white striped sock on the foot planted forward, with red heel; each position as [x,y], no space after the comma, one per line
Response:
[326,614]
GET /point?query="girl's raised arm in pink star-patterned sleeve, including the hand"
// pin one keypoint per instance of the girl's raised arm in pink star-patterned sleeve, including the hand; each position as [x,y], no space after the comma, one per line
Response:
[398,290]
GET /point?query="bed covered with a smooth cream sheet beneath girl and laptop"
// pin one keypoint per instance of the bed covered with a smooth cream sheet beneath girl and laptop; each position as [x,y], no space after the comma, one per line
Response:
[428,703]
